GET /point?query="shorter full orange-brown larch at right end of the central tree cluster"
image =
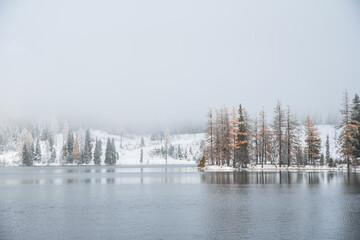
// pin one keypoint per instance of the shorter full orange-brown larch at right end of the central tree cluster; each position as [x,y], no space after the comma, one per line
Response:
[312,141]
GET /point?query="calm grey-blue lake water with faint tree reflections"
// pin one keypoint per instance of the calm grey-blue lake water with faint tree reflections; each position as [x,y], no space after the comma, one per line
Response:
[176,203]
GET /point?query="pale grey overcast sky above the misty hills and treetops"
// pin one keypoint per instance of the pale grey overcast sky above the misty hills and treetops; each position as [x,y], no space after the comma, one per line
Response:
[158,62]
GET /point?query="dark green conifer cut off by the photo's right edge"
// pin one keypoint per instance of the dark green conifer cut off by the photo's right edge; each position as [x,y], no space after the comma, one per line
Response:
[355,119]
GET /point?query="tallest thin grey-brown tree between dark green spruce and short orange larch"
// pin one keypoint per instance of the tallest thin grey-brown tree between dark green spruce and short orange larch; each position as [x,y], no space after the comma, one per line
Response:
[278,129]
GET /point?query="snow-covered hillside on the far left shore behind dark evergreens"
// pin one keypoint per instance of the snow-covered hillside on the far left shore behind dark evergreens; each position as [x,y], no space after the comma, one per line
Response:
[129,153]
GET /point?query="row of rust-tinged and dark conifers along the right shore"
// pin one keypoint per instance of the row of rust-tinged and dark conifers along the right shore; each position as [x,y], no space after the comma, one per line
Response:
[236,140]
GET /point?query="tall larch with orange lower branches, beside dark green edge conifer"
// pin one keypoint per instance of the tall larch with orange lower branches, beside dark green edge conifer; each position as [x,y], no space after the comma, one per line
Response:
[348,130]
